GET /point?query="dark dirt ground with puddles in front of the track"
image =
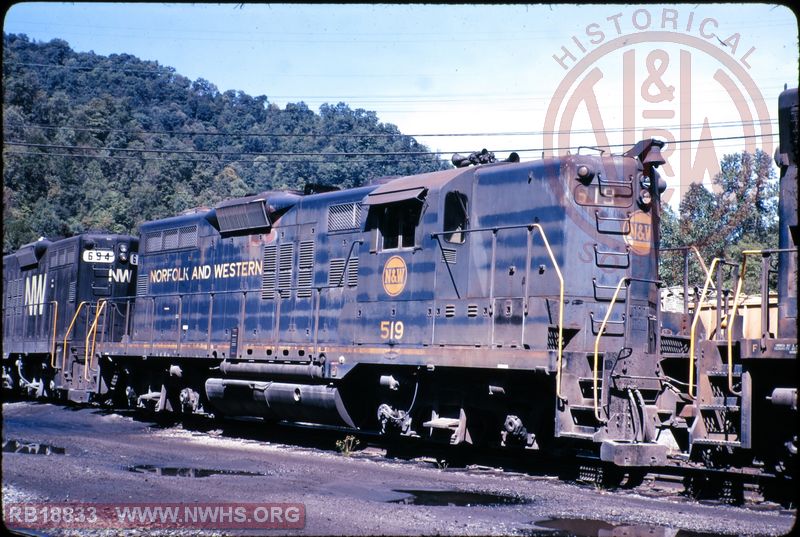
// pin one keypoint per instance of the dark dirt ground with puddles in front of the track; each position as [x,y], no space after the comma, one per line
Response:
[56,453]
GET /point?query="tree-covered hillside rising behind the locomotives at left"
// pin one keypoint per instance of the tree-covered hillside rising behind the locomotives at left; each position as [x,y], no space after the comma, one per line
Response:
[104,143]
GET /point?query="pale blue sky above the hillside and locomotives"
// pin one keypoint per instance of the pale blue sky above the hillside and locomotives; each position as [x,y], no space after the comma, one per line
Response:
[463,69]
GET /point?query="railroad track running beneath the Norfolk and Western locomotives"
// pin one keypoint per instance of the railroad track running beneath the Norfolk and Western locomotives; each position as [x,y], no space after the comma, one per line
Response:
[682,480]
